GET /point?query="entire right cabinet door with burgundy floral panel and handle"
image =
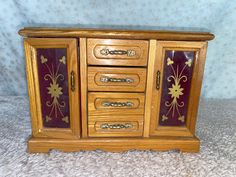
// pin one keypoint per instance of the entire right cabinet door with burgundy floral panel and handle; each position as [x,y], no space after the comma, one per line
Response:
[178,74]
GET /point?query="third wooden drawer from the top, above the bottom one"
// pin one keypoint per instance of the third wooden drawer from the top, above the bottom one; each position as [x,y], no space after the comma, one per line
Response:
[101,103]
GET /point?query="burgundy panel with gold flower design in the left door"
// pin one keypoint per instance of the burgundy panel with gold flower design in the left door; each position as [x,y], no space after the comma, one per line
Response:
[53,84]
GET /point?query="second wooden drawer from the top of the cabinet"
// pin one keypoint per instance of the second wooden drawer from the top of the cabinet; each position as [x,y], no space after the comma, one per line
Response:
[116,79]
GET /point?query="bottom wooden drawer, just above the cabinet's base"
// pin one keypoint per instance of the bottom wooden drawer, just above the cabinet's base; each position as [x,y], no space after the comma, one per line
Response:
[115,126]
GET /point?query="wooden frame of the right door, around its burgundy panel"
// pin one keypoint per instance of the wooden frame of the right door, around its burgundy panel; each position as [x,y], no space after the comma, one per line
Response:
[155,95]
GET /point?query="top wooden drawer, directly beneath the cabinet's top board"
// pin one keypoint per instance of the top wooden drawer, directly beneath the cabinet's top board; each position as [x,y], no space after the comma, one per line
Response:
[117,52]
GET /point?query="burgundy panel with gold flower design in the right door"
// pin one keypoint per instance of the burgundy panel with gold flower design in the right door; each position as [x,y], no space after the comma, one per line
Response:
[178,69]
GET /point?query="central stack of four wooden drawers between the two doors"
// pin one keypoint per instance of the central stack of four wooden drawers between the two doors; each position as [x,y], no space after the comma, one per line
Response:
[116,87]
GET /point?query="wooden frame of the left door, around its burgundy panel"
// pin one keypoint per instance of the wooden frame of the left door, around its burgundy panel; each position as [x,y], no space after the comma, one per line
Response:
[31,44]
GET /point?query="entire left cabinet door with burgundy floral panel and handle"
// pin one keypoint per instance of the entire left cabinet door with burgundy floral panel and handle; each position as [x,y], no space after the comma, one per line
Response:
[52,72]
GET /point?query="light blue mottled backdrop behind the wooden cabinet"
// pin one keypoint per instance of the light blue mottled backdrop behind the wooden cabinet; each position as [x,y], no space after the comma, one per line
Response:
[218,16]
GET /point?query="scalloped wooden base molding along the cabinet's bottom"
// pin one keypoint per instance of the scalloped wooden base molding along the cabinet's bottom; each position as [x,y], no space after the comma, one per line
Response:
[191,144]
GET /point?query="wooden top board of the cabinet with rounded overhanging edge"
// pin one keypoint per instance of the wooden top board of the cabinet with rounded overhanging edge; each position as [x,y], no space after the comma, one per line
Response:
[188,34]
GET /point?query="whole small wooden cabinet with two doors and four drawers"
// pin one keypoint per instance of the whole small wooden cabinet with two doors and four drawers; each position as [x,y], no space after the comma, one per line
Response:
[113,90]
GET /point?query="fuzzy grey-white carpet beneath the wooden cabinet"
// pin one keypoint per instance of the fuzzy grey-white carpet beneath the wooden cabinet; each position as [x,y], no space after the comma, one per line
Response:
[216,128]
